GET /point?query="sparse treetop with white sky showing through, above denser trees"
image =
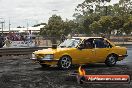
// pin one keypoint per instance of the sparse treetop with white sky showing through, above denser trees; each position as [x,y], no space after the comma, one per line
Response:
[91,6]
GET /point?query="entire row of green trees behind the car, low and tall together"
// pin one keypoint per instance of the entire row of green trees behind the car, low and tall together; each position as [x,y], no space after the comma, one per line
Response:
[93,16]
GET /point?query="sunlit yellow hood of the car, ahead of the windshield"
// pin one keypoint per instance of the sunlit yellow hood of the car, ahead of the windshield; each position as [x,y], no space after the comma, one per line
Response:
[50,50]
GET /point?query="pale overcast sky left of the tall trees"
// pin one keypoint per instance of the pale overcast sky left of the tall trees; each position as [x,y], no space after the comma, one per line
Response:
[36,11]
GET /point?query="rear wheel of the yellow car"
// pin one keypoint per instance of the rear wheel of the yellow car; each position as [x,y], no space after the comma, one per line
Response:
[111,60]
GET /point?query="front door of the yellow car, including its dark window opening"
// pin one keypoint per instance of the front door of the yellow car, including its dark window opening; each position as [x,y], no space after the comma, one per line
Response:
[87,53]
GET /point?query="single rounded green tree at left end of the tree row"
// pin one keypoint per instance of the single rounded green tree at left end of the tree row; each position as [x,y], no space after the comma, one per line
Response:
[54,27]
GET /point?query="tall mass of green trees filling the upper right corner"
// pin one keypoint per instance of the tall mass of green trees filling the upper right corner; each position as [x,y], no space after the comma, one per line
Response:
[99,17]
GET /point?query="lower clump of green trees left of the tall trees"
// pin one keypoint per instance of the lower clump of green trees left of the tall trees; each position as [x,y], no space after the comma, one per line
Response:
[56,27]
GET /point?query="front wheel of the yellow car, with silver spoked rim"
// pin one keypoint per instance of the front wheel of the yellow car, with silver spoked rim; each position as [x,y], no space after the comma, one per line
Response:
[65,62]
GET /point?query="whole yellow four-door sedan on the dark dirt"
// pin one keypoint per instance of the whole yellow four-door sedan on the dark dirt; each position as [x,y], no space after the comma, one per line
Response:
[80,50]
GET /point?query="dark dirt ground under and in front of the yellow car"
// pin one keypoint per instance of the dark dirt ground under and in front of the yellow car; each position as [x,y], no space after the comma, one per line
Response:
[20,72]
